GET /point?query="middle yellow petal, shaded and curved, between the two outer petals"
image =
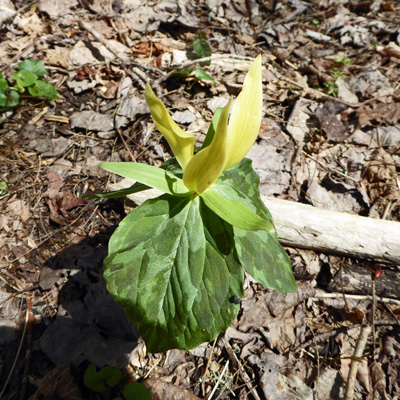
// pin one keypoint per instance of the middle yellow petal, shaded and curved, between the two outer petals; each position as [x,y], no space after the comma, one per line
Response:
[207,165]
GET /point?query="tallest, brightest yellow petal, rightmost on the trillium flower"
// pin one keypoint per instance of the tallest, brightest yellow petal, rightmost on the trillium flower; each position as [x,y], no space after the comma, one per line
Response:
[245,120]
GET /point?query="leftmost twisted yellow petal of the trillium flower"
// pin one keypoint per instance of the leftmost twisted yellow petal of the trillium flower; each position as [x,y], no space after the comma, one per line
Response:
[181,143]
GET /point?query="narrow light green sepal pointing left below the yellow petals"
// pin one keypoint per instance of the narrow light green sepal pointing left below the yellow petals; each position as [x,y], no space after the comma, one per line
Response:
[151,176]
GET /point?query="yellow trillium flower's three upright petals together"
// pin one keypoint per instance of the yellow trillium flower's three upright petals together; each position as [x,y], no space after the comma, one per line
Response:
[230,143]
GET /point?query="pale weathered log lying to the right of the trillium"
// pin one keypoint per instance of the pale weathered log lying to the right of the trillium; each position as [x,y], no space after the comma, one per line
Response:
[302,225]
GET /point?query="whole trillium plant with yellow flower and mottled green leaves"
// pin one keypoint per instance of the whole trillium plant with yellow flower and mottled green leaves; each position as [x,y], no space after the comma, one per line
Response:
[176,263]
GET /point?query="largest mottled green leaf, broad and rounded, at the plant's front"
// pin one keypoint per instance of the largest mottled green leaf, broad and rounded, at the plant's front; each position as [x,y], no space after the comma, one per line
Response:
[172,265]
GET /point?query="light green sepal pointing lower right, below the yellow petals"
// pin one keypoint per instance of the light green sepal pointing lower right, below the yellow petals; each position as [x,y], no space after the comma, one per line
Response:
[233,211]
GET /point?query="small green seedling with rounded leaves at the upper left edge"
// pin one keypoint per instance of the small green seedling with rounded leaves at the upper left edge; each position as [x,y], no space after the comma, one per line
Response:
[27,80]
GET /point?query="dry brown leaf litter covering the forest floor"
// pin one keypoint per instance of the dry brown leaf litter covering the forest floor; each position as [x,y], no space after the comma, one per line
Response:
[330,137]
